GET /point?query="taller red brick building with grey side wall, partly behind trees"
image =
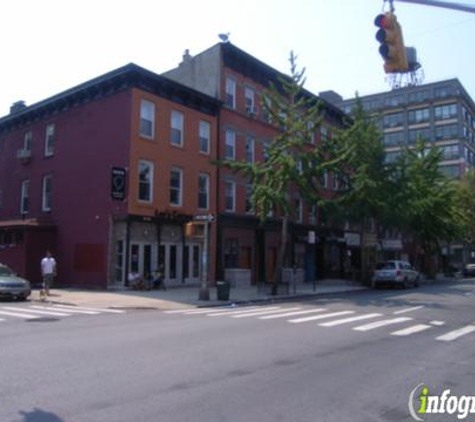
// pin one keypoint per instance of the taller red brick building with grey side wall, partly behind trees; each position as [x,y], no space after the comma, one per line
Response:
[247,251]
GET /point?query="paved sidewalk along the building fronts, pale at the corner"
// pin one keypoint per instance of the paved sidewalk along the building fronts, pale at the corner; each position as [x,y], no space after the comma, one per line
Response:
[183,297]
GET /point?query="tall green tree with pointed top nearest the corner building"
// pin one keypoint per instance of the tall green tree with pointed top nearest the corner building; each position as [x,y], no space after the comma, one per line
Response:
[293,162]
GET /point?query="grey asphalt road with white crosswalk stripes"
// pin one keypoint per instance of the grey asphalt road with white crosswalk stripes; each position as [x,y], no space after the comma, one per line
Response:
[274,362]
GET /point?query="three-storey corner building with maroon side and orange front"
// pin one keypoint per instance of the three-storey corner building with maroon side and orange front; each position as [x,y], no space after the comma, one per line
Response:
[106,175]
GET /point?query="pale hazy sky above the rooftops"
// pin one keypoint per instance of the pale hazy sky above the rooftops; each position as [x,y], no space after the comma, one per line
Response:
[49,46]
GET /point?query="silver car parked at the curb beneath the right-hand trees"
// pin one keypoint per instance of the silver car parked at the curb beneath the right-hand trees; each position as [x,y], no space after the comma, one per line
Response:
[396,272]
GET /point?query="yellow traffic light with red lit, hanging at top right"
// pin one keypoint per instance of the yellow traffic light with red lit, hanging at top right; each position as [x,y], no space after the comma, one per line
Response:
[392,44]
